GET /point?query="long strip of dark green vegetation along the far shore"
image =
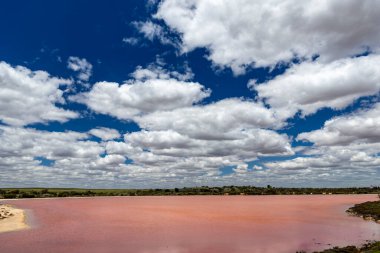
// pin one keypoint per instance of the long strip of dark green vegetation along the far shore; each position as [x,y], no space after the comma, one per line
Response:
[11,193]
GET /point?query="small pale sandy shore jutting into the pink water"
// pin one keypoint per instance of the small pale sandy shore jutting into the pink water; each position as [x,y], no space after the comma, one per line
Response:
[11,219]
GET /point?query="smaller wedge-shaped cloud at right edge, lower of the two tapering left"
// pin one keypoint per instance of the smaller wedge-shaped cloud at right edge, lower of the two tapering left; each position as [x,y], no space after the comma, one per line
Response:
[359,127]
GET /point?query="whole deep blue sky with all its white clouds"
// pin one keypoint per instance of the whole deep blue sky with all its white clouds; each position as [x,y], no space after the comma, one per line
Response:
[175,93]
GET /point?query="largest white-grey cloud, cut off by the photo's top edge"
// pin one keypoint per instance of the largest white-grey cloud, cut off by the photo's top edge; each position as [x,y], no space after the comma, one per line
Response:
[242,32]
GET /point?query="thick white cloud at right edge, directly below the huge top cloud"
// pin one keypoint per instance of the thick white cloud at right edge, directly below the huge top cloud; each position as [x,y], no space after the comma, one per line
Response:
[310,86]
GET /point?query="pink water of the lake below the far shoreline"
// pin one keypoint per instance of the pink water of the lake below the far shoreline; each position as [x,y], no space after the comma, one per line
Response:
[198,224]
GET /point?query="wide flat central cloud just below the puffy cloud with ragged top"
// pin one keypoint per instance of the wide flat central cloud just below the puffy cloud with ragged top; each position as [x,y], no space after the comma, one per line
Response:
[225,119]
